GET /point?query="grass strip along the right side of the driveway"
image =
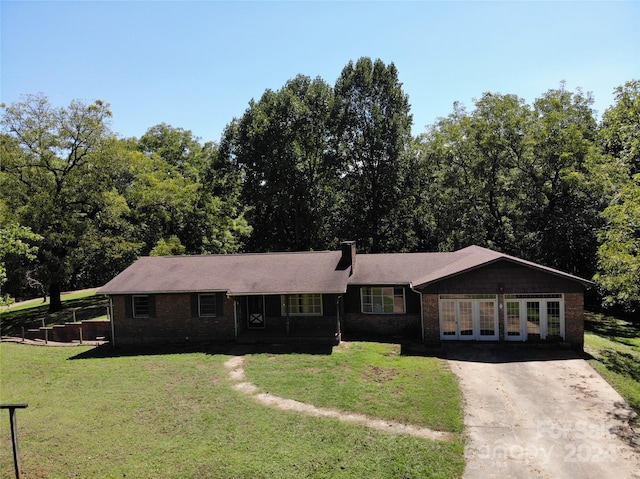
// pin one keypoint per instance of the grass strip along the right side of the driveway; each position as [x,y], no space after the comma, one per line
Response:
[614,347]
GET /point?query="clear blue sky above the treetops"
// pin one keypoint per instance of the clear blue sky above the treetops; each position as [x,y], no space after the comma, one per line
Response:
[196,65]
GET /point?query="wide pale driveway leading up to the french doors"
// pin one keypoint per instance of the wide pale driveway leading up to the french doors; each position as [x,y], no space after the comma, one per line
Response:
[541,413]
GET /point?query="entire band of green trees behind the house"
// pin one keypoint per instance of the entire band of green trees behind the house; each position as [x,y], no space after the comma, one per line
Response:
[309,165]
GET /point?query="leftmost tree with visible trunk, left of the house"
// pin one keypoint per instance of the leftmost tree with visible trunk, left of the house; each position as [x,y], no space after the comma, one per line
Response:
[49,179]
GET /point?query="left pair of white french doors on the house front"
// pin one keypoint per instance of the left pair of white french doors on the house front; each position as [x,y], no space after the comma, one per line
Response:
[469,317]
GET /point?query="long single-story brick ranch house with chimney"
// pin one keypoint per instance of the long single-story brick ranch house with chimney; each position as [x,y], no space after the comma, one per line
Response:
[474,294]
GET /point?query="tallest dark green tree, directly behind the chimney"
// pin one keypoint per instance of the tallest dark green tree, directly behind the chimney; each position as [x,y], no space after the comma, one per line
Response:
[372,136]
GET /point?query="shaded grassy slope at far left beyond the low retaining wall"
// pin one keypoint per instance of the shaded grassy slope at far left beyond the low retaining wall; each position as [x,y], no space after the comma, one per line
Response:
[33,313]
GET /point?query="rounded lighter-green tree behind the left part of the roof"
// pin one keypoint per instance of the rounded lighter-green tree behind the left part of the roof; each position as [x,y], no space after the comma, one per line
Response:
[185,194]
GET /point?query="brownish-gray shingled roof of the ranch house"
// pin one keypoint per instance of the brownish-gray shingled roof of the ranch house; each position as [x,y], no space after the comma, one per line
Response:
[304,272]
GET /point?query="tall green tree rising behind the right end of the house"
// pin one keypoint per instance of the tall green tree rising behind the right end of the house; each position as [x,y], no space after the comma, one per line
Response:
[563,204]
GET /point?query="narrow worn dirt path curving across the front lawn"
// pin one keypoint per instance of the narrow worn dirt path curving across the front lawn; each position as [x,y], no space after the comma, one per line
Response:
[236,375]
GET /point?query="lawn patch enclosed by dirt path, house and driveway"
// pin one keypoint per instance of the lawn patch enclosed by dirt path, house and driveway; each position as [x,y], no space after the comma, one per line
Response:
[369,377]
